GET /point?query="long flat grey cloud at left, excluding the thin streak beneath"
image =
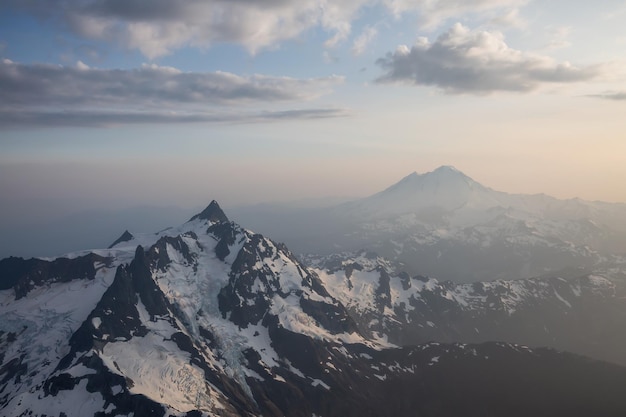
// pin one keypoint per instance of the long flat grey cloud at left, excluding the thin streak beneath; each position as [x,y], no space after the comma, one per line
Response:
[150,85]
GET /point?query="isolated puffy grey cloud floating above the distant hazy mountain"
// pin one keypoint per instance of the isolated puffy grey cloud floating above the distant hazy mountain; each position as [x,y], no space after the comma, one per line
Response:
[479,62]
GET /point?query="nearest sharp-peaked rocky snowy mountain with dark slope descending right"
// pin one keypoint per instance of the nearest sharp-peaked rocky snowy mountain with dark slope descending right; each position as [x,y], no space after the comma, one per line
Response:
[210,319]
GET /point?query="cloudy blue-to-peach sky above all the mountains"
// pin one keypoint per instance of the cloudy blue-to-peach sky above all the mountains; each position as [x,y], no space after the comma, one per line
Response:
[112,104]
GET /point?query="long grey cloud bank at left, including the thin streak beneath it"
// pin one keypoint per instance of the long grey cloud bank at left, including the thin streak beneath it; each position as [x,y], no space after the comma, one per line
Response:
[37,93]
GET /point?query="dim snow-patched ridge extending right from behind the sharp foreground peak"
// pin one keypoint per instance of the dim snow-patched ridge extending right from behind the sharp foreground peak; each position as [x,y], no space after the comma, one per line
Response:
[585,314]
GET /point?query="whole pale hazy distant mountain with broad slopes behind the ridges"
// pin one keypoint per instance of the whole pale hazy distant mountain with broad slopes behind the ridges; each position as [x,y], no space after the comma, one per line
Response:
[445,224]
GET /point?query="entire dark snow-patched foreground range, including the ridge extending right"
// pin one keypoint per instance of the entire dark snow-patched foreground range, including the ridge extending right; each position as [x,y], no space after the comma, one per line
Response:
[211,319]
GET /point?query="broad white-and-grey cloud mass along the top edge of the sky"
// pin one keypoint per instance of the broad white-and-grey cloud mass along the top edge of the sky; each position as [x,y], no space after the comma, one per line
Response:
[167,25]
